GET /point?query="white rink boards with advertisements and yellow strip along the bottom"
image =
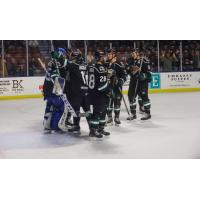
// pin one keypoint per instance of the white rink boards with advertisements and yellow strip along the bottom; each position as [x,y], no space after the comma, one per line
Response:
[31,87]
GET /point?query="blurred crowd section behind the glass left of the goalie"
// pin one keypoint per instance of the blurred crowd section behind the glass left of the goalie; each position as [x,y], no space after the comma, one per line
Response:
[17,62]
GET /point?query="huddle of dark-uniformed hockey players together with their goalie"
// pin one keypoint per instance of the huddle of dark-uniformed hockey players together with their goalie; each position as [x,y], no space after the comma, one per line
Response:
[72,83]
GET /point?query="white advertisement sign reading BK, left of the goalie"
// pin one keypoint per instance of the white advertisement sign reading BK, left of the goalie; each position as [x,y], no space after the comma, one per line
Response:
[21,86]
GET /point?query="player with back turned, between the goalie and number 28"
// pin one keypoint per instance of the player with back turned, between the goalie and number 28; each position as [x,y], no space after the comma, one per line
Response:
[77,89]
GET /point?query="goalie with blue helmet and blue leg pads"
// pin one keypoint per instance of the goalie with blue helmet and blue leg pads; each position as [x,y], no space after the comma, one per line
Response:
[53,88]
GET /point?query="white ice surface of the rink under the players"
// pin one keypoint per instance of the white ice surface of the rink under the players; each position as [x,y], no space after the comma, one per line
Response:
[173,132]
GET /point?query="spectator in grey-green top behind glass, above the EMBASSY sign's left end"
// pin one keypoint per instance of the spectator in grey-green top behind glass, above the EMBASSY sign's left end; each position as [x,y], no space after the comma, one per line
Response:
[167,60]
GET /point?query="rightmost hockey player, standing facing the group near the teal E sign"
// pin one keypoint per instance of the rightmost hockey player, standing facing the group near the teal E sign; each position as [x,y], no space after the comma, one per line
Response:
[139,70]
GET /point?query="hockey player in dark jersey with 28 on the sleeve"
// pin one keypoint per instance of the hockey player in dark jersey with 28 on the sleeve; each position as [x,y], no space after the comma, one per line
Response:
[98,87]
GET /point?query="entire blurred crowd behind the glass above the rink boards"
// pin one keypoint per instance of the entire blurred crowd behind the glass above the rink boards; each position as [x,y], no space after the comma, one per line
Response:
[164,55]
